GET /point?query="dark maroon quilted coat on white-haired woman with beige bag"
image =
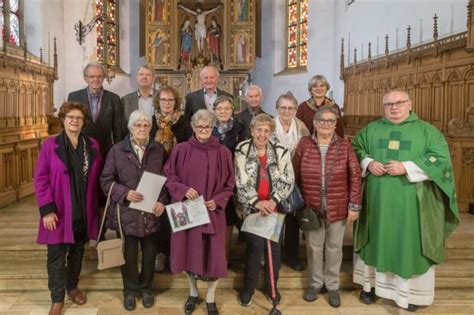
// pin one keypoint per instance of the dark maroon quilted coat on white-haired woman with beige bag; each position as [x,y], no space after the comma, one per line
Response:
[123,167]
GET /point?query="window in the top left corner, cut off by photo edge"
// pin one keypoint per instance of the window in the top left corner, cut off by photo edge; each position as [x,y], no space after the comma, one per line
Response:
[11,21]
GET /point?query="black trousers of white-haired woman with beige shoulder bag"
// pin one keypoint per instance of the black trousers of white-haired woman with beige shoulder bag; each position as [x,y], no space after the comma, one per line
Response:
[135,282]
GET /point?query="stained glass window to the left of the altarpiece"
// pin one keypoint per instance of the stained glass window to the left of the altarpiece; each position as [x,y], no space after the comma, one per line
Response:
[107,32]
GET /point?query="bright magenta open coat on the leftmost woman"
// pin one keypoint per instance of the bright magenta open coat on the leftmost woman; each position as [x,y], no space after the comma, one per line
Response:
[53,194]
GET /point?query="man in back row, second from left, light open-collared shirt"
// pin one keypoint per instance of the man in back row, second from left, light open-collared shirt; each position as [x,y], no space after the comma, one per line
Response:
[143,98]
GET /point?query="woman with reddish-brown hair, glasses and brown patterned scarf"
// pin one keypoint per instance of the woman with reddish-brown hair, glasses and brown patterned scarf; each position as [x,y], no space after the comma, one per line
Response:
[168,128]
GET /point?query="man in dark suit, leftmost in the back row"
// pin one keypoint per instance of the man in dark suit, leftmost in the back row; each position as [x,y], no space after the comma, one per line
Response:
[105,121]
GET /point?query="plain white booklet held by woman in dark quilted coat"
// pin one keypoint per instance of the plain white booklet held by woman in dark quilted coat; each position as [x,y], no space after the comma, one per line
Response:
[150,187]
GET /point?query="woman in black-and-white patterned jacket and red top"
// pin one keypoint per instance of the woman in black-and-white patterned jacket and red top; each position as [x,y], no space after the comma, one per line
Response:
[264,177]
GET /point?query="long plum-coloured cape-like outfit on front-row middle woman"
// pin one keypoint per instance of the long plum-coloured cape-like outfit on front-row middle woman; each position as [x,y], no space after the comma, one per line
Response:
[206,167]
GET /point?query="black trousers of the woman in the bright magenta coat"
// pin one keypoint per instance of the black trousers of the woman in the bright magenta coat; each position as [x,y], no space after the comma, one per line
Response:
[64,266]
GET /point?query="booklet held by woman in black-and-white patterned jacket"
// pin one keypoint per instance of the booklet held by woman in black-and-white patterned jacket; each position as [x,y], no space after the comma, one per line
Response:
[268,227]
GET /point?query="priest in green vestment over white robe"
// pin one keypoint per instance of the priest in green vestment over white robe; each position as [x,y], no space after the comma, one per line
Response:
[400,237]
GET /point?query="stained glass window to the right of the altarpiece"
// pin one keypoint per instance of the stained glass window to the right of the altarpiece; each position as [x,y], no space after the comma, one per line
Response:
[297,32]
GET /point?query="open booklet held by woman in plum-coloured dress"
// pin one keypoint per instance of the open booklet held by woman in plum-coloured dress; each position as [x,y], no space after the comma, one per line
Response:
[188,214]
